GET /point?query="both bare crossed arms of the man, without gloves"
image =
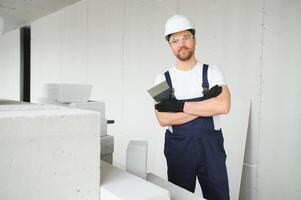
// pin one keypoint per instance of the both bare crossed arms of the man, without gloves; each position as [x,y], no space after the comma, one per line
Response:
[210,107]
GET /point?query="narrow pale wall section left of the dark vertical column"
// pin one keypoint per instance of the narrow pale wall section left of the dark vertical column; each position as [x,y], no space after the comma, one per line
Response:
[10,65]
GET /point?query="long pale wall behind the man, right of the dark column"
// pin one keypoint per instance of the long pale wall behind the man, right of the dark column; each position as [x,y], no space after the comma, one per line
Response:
[118,46]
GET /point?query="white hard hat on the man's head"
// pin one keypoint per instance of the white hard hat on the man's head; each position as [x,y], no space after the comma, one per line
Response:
[177,23]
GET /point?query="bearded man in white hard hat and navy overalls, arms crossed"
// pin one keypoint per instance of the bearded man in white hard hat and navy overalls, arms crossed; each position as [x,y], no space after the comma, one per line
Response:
[193,141]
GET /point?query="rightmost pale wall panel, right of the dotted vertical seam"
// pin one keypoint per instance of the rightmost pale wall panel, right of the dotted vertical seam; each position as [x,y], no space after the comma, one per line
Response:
[279,160]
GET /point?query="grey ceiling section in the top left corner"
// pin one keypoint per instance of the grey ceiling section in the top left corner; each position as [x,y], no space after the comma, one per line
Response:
[17,13]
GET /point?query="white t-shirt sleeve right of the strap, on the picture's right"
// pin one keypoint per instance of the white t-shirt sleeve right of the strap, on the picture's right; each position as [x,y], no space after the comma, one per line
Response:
[215,76]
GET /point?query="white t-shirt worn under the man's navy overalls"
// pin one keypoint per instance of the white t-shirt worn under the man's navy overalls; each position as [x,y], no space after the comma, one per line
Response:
[188,84]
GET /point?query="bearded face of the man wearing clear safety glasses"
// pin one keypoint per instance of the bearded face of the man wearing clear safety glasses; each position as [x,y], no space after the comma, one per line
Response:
[182,45]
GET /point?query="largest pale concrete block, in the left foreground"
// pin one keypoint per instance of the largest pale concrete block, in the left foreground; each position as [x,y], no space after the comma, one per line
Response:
[49,152]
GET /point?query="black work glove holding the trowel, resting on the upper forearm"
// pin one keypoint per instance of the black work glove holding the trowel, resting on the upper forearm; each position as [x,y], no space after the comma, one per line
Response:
[170,105]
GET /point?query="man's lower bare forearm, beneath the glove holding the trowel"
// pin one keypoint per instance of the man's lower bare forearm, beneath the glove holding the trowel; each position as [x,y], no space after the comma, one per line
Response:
[168,118]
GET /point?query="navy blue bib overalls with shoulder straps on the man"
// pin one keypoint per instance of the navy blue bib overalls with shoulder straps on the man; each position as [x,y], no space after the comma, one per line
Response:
[196,149]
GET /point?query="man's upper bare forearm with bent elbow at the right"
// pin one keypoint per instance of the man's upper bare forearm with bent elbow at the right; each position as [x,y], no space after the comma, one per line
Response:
[210,107]
